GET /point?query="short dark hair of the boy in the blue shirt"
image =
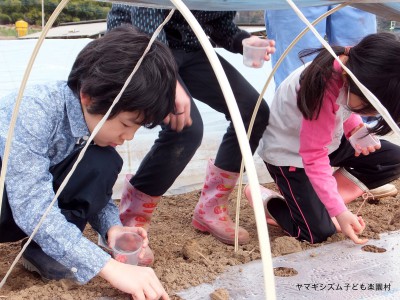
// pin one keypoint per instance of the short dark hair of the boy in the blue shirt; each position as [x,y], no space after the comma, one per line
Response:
[102,67]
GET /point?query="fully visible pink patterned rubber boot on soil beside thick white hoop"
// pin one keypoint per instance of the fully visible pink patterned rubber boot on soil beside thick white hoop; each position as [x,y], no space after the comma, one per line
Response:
[211,212]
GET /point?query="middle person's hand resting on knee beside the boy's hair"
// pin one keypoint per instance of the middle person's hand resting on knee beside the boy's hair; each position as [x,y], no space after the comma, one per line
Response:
[181,118]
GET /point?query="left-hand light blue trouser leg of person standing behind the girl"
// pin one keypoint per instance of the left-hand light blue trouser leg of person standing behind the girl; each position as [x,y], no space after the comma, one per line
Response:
[284,26]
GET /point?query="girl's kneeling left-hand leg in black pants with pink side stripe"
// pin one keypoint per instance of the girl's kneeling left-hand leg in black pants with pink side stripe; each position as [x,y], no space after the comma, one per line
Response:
[305,216]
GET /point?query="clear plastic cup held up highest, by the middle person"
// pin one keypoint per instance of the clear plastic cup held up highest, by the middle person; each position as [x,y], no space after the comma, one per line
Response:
[254,52]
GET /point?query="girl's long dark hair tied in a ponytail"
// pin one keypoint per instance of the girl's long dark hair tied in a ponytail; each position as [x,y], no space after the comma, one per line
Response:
[374,61]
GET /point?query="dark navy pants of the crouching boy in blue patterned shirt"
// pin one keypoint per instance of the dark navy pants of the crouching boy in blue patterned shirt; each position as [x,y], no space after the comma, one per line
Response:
[87,192]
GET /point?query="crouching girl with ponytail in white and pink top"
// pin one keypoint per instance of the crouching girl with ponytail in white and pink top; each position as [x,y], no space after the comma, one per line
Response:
[313,125]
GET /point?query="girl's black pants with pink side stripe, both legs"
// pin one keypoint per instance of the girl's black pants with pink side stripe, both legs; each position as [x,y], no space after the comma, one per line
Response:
[305,216]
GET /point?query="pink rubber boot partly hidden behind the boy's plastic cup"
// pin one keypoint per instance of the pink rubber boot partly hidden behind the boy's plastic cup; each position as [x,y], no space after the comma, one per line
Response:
[135,210]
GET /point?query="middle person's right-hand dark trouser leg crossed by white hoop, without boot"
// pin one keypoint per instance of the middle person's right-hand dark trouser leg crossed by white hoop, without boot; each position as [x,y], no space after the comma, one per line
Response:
[202,83]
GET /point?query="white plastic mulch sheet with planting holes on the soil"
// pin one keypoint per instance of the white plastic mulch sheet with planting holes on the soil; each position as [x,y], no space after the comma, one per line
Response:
[340,270]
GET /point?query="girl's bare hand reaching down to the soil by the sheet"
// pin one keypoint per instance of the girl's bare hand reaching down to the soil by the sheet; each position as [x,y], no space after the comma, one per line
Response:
[351,226]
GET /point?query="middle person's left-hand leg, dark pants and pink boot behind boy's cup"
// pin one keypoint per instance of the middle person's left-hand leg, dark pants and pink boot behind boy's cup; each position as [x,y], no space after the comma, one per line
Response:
[167,158]
